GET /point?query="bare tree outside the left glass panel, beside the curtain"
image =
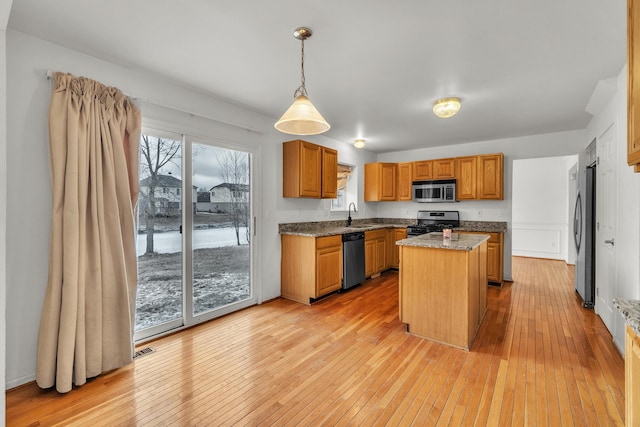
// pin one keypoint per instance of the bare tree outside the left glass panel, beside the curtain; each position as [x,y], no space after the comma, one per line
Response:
[155,154]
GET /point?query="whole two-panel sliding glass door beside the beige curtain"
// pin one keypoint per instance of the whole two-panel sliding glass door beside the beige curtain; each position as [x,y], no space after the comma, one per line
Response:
[194,233]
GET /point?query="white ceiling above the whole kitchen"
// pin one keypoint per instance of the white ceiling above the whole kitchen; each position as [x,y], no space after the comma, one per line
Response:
[373,67]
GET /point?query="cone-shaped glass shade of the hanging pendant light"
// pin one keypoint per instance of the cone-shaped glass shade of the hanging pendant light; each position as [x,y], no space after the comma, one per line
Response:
[302,118]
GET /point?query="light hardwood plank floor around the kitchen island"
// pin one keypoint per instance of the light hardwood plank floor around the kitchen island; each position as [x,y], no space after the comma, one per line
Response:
[539,359]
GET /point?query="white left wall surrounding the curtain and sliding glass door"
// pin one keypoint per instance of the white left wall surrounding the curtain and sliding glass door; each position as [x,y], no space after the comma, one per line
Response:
[28,196]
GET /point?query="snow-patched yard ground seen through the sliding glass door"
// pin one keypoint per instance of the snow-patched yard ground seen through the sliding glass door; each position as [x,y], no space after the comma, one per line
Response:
[221,274]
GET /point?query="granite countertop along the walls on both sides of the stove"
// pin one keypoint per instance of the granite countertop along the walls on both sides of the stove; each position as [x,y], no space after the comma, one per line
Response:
[332,228]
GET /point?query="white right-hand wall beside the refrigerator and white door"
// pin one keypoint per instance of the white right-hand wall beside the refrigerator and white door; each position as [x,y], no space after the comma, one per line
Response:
[627,237]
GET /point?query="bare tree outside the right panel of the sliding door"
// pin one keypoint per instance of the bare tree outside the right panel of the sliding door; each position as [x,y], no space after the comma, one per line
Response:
[234,170]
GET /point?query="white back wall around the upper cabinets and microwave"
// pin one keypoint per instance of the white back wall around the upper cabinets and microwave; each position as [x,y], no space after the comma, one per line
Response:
[527,147]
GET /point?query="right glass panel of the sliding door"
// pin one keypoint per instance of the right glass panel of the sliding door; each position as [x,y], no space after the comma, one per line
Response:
[221,246]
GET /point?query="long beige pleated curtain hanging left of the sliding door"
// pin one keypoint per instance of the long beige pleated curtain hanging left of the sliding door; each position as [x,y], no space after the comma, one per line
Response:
[87,319]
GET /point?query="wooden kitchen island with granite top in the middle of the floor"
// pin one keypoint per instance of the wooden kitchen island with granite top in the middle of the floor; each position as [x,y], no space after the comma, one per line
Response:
[443,286]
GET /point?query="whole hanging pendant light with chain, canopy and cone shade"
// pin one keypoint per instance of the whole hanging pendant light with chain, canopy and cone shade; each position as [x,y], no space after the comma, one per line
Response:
[302,118]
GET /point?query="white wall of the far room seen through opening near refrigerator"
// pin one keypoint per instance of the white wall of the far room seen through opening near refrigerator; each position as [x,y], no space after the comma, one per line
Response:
[540,226]
